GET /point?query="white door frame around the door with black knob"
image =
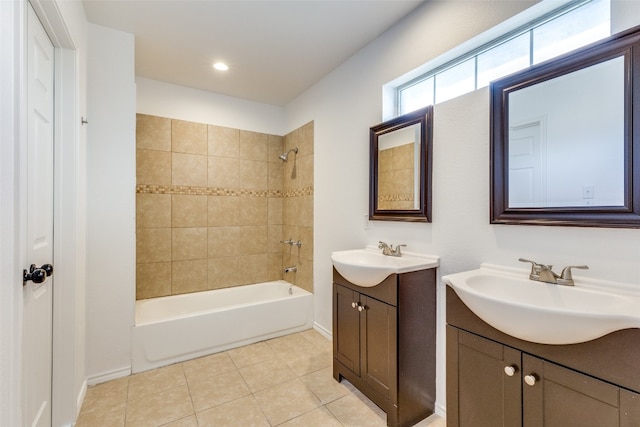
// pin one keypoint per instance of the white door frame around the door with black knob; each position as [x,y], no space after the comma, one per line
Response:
[68,307]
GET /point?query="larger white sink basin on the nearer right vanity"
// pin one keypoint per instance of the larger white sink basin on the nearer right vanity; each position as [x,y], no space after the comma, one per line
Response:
[546,313]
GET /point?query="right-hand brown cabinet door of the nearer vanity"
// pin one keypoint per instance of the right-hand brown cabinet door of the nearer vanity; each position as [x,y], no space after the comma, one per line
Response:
[554,396]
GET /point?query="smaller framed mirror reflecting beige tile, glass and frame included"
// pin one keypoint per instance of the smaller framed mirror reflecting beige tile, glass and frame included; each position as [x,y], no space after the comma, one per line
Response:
[400,168]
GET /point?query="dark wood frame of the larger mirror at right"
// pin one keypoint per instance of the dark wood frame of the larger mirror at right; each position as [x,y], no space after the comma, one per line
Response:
[625,44]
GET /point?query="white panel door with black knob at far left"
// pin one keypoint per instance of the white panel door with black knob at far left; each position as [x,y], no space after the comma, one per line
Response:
[38,301]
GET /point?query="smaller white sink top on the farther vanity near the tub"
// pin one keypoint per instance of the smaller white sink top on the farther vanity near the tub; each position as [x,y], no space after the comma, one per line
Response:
[368,267]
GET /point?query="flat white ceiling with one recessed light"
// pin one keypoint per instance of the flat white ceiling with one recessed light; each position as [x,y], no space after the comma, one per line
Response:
[275,49]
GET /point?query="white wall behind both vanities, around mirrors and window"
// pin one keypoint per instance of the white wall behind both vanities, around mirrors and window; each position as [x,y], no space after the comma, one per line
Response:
[346,102]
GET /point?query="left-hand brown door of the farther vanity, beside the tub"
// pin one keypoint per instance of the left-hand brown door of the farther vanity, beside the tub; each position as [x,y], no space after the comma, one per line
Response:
[346,328]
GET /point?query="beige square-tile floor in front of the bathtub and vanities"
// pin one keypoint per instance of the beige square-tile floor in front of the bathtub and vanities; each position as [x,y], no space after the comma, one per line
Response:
[285,381]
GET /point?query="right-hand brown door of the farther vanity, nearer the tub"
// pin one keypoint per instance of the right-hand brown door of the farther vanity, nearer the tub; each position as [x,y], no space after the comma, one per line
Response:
[379,346]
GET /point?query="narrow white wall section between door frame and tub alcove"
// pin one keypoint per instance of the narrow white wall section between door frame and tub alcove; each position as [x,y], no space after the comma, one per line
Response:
[111,180]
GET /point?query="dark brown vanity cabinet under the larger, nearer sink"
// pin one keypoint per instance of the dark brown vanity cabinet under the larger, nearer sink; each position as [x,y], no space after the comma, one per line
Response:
[490,383]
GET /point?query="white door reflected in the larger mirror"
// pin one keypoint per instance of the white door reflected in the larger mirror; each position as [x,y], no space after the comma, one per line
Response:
[527,165]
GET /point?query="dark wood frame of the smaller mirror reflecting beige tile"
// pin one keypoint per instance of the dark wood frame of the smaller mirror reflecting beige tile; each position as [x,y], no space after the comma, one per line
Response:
[423,117]
